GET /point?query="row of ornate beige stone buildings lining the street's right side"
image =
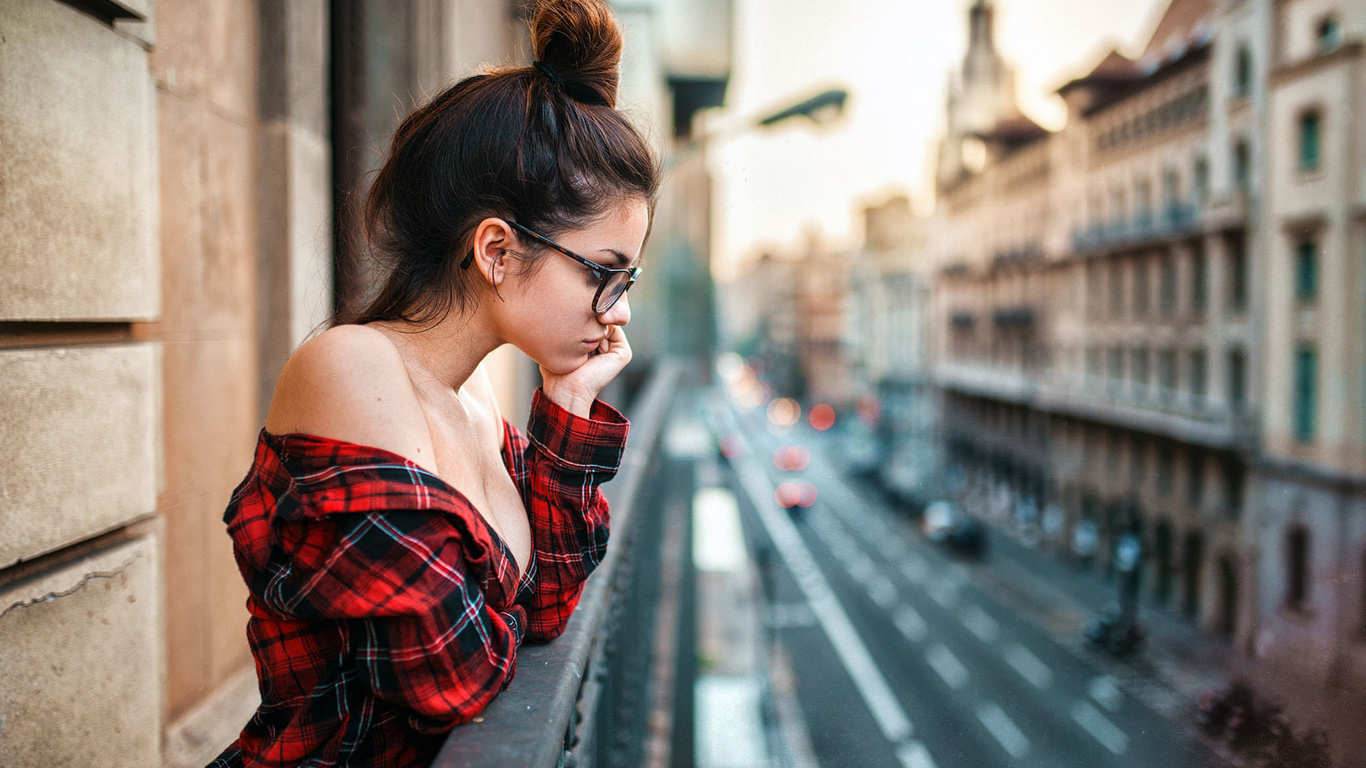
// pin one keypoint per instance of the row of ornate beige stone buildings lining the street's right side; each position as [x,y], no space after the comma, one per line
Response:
[1151,320]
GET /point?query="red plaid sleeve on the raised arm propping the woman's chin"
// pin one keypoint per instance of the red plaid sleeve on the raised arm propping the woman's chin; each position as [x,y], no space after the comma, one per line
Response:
[558,467]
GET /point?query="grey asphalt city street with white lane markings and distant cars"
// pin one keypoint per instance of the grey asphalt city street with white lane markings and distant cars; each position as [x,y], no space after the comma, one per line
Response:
[906,657]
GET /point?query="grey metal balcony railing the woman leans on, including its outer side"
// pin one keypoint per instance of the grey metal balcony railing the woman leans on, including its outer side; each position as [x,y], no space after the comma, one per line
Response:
[557,711]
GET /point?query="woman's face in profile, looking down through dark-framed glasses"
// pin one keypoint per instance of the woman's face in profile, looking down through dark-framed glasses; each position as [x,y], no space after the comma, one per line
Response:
[548,311]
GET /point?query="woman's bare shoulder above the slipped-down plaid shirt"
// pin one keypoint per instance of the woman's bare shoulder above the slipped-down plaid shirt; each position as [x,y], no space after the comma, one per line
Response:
[350,383]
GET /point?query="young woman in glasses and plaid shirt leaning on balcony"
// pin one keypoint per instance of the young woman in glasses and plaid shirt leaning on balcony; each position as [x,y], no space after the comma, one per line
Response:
[398,538]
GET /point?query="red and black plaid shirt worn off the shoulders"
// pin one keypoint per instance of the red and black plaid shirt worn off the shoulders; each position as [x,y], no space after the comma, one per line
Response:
[385,609]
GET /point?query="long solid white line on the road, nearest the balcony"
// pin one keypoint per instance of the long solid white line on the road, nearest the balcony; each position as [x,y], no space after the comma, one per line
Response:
[869,681]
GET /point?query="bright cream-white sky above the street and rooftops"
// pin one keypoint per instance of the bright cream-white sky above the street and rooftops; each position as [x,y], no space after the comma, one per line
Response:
[775,188]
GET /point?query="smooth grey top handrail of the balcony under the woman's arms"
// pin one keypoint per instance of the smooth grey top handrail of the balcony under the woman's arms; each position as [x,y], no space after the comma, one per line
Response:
[535,721]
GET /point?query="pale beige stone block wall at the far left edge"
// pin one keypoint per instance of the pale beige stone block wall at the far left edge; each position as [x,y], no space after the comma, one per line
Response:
[81,598]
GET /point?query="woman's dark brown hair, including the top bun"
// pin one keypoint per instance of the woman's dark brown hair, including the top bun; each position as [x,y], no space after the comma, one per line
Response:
[543,146]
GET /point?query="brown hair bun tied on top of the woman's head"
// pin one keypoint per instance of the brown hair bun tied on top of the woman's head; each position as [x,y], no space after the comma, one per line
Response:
[581,42]
